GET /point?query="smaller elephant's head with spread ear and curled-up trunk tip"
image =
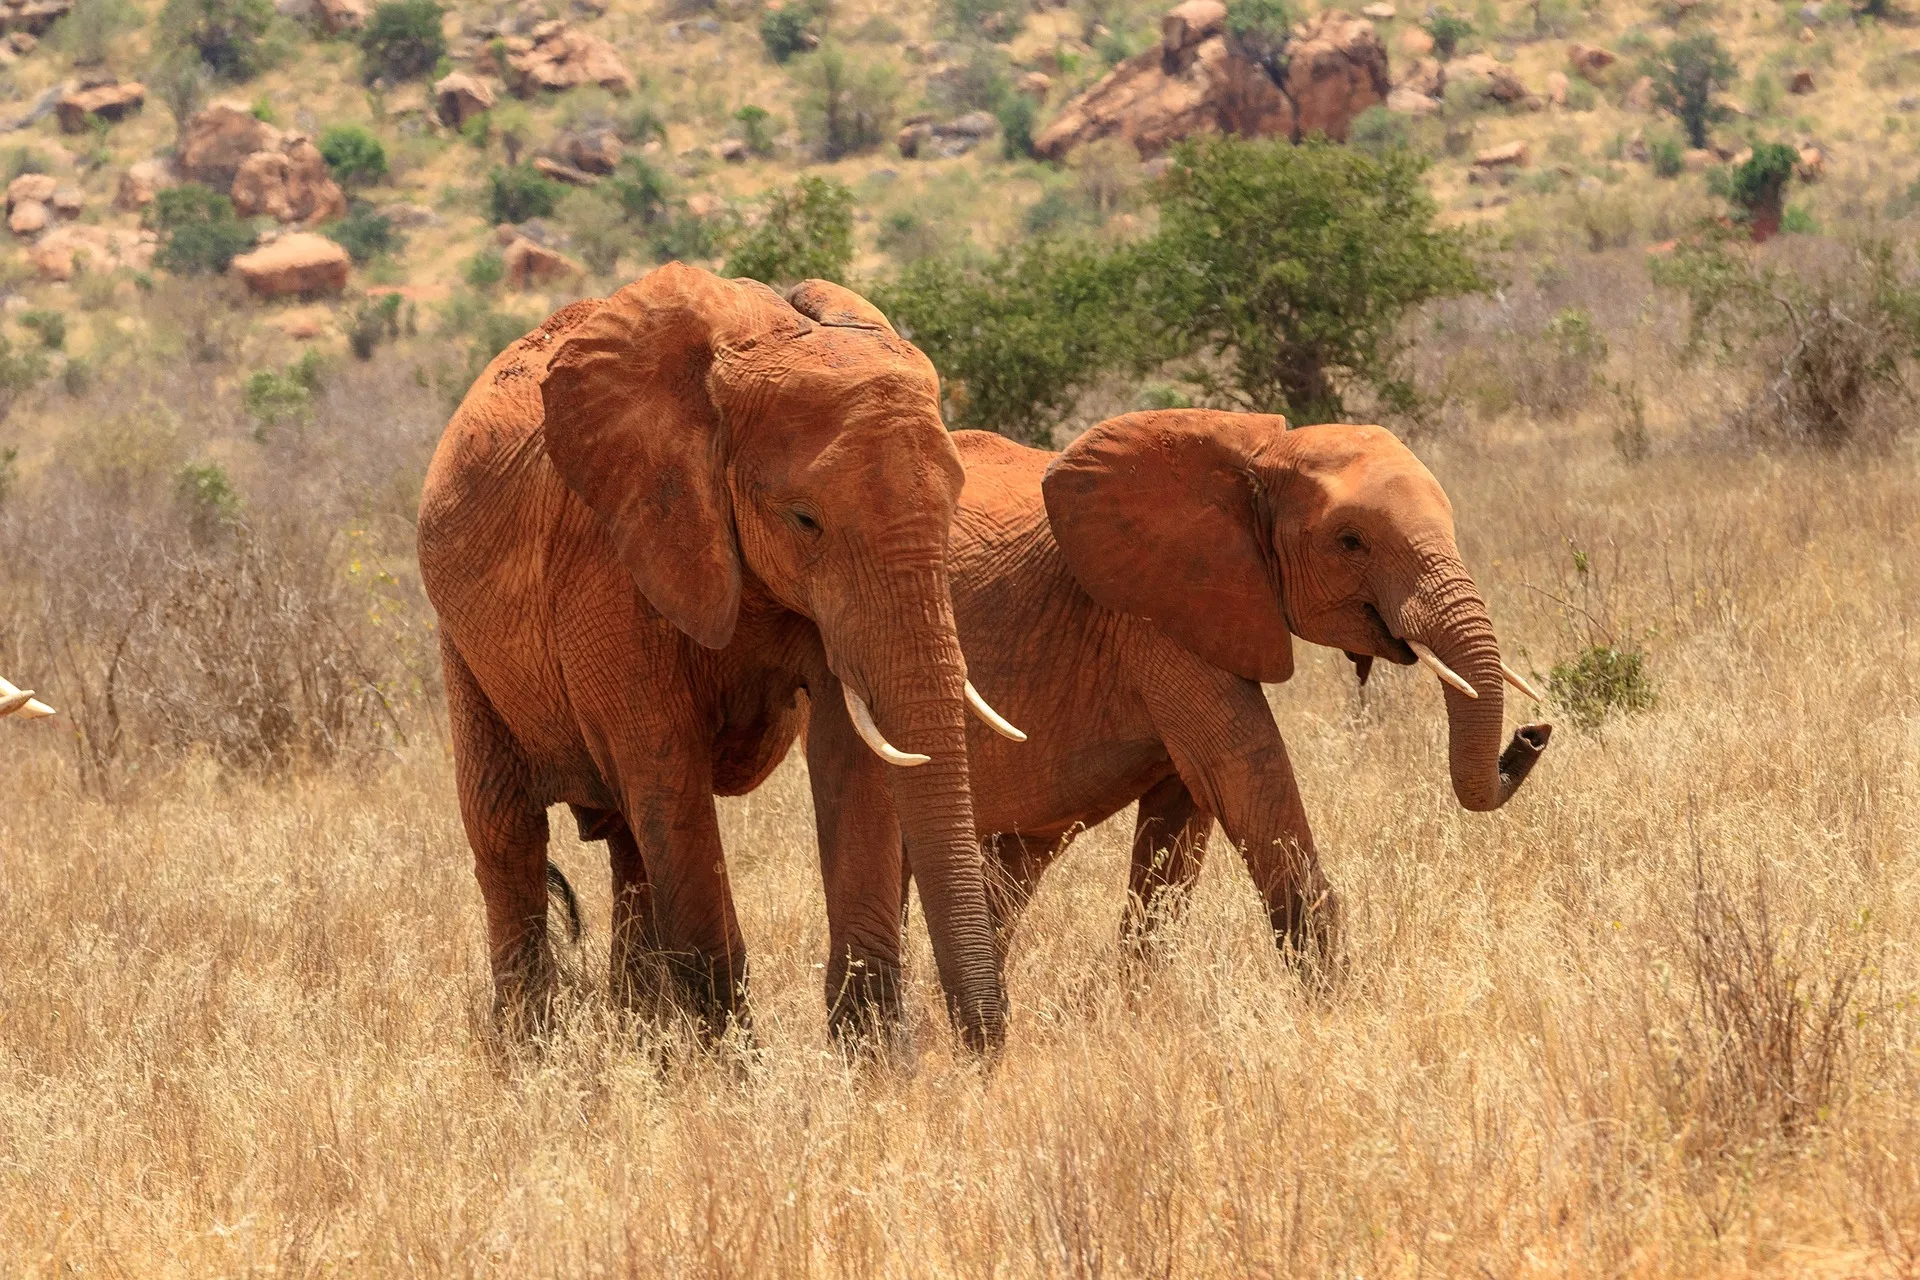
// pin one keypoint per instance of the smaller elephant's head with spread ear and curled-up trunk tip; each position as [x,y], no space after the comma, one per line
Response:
[1236,534]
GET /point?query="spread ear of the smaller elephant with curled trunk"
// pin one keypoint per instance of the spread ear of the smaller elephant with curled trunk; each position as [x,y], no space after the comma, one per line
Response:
[1161,515]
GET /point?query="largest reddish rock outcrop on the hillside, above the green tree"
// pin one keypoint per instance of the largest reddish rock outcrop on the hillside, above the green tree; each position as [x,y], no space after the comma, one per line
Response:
[1199,82]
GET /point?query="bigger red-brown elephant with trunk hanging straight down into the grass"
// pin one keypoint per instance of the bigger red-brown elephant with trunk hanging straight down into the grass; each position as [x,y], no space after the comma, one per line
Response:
[652,525]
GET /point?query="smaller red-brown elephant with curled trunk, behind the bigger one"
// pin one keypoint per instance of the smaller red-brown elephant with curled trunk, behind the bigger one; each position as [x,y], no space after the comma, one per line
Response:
[1128,598]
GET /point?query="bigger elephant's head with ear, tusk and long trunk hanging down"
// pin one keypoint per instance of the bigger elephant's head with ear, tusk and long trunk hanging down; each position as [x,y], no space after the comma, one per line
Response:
[732,439]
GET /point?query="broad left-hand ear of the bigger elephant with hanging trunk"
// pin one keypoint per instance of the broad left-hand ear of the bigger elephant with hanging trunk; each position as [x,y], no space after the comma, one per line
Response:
[633,427]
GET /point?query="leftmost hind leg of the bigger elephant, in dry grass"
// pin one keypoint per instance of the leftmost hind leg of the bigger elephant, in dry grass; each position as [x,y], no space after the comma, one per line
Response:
[508,832]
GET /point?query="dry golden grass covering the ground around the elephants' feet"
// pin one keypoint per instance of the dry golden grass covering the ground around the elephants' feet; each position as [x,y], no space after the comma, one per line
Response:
[245,1024]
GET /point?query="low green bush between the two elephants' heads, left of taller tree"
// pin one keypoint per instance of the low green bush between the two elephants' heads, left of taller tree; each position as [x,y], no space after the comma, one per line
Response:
[1022,335]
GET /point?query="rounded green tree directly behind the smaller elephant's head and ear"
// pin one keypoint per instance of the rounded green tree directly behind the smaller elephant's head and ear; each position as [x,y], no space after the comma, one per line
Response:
[1297,264]
